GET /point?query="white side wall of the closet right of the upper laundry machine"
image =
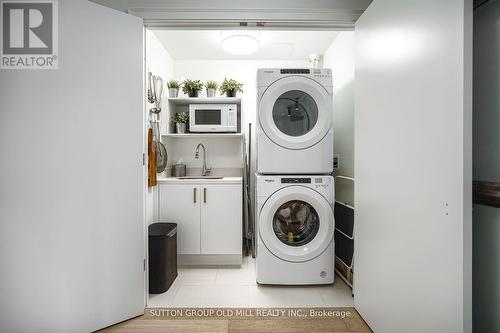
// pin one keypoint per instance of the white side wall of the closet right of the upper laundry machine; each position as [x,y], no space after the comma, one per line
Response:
[340,57]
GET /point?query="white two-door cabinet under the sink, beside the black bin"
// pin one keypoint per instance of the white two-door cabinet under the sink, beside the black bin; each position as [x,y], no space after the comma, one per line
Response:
[208,217]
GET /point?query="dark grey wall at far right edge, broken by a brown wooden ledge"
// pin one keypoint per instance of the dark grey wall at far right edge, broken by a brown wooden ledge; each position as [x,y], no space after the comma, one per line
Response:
[487,166]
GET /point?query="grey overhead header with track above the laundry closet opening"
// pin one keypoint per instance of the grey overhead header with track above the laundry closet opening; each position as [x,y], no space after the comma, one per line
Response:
[258,14]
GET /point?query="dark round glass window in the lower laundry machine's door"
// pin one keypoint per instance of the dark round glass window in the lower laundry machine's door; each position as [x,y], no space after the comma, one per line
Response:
[296,223]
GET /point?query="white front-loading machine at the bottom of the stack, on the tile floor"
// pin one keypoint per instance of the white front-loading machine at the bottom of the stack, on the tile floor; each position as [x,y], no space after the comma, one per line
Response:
[295,227]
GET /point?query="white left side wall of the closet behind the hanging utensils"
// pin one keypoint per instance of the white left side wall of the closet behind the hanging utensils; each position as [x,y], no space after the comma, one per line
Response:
[160,63]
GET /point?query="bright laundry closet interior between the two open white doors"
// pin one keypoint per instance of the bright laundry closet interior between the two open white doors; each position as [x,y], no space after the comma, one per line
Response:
[217,243]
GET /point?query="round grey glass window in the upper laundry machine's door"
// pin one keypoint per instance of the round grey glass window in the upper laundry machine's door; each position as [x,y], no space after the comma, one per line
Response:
[295,113]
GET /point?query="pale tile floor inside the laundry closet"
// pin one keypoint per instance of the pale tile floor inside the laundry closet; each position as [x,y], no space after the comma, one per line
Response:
[236,287]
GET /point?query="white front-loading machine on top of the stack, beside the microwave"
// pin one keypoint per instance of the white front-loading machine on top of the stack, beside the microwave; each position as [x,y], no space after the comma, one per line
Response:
[294,121]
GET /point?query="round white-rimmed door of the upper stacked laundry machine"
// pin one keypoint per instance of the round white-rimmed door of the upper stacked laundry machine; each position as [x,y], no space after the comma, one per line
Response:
[295,112]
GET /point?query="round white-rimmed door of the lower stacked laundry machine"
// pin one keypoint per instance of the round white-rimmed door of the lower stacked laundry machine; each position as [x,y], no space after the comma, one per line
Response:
[296,224]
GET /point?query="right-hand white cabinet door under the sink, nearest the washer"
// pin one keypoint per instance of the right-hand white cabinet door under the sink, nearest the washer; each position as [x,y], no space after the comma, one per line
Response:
[221,219]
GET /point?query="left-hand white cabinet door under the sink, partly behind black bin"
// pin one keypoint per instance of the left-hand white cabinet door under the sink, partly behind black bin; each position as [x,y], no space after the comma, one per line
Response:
[180,203]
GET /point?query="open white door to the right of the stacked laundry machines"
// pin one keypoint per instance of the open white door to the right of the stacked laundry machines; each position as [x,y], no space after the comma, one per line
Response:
[413,166]
